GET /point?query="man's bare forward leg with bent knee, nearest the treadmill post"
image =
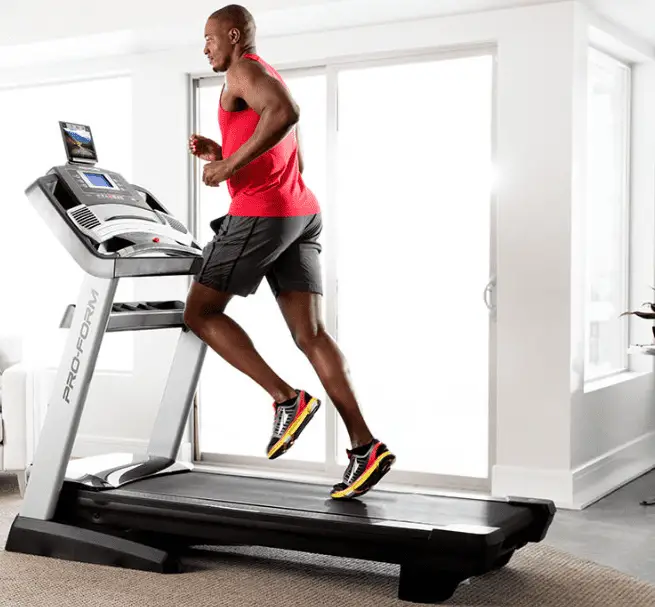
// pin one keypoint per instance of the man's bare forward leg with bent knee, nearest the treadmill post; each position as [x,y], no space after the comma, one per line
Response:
[205,316]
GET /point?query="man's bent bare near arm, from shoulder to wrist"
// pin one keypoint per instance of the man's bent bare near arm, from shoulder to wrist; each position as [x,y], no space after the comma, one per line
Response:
[271,100]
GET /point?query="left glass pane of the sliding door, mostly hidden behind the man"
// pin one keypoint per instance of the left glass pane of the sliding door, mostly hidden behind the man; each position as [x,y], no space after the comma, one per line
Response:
[223,390]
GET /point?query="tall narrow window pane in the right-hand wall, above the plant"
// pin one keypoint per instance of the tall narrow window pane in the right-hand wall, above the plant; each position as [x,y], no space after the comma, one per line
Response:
[607,216]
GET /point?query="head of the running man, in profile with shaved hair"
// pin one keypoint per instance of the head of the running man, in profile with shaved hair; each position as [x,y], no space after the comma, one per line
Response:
[228,33]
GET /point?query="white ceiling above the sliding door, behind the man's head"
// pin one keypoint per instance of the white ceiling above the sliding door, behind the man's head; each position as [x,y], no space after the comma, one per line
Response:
[142,22]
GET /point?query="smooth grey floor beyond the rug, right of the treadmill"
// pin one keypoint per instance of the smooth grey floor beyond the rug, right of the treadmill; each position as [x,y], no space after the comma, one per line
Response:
[617,531]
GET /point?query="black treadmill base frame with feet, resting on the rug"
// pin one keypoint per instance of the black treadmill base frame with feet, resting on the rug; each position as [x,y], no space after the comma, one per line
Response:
[151,532]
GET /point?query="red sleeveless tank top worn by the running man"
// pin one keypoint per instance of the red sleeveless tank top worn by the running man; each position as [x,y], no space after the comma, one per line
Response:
[271,185]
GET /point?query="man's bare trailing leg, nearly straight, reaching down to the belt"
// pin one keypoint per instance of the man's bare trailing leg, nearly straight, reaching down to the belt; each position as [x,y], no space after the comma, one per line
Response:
[302,313]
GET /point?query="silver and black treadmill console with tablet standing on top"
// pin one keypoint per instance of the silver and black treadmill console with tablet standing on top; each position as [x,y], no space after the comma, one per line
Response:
[111,227]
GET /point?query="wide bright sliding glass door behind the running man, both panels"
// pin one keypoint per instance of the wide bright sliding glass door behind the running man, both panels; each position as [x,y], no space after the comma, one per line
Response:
[403,173]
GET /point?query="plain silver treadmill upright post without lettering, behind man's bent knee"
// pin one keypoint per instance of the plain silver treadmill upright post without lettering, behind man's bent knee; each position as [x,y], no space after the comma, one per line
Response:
[178,395]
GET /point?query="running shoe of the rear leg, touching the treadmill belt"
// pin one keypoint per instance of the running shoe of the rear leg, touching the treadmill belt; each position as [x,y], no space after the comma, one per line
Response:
[364,471]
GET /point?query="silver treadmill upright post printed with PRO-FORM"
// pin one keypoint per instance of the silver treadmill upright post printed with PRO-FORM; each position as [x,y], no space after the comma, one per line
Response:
[69,396]
